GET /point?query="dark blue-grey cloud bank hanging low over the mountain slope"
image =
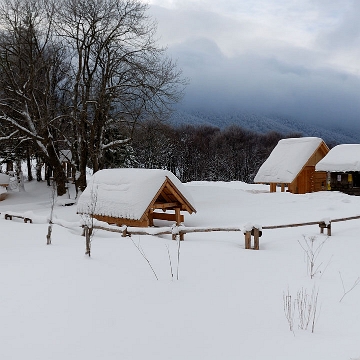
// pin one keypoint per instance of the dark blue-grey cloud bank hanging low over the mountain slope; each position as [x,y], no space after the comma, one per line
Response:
[266,85]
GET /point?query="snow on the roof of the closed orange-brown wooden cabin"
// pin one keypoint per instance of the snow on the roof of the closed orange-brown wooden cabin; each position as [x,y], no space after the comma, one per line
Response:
[287,159]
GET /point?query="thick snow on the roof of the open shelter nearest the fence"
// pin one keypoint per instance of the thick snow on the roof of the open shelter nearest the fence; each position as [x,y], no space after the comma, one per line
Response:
[125,193]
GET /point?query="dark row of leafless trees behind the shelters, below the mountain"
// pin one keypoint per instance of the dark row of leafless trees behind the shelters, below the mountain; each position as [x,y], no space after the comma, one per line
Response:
[199,152]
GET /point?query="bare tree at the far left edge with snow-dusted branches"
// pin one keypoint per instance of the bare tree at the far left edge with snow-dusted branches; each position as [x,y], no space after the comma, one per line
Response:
[30,77]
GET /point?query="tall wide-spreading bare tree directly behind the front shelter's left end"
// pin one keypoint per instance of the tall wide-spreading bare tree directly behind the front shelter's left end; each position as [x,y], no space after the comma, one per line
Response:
[118,74]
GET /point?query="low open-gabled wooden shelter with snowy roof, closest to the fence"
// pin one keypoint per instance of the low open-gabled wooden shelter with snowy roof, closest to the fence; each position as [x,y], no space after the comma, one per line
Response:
[135,197]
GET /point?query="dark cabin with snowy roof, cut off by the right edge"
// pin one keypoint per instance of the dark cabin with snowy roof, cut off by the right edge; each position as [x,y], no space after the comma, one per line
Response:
[342,165]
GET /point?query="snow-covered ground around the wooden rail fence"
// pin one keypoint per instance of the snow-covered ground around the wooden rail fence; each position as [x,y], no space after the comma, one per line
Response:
[56,303]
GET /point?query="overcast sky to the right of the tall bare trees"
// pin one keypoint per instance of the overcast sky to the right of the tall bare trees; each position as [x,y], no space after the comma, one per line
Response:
[298,58]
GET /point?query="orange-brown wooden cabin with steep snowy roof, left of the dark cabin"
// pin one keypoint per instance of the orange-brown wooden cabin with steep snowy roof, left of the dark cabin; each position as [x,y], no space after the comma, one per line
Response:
[291,165]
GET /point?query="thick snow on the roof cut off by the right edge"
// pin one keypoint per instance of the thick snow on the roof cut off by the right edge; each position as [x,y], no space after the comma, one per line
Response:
[341,158]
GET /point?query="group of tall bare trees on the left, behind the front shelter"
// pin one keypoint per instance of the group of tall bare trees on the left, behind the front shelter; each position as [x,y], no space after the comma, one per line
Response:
[78,75]
